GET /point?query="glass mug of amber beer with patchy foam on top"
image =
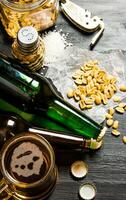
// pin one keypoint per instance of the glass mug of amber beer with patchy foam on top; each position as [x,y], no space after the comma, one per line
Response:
[28,168]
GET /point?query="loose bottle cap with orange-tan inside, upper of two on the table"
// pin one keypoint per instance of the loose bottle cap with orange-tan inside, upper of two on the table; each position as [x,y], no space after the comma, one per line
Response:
[79,169]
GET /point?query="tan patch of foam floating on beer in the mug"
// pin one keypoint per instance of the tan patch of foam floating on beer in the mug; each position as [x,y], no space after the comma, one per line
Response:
[26,160]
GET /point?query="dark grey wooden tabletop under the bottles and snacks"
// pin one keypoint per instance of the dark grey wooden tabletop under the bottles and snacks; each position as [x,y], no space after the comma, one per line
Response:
[107,166]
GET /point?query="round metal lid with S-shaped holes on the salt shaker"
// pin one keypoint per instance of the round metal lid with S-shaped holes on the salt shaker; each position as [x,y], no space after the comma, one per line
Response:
[27,36]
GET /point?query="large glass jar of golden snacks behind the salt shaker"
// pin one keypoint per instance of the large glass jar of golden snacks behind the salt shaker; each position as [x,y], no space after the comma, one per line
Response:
[40,14]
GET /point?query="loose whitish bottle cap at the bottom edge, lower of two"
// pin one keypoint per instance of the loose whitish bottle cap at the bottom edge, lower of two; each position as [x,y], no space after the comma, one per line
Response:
[87,191]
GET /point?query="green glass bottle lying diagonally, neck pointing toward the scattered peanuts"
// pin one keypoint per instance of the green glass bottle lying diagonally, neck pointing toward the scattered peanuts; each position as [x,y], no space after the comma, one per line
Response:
[35,96]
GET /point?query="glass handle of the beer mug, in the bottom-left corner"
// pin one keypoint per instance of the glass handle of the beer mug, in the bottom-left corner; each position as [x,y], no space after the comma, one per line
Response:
[5,193]
